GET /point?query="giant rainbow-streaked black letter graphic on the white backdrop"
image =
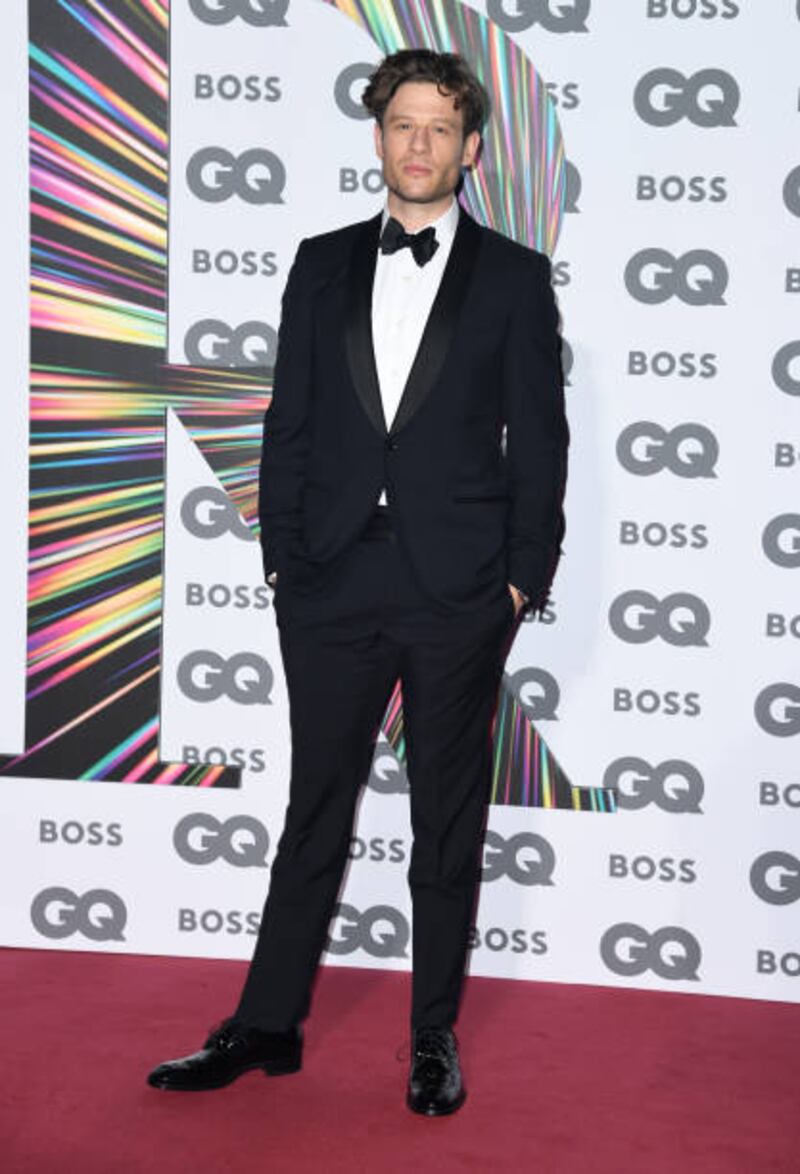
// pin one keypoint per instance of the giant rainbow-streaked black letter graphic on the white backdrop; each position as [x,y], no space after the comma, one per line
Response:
[100,388]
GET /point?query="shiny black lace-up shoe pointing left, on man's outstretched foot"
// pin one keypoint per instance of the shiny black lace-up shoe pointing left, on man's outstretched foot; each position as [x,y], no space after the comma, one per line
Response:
[228,1052]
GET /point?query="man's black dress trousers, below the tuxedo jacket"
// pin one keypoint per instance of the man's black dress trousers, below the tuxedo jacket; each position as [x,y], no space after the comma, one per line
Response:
[346,639]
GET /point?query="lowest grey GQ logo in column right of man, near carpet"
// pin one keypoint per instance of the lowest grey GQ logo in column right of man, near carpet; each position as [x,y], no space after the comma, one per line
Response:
[671,953]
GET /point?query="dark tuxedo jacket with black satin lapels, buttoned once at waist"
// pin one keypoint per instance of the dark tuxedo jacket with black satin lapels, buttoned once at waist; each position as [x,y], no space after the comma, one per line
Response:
[472,510]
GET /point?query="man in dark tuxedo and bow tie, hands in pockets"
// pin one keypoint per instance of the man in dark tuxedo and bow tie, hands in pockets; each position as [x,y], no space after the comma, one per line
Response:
[412,485]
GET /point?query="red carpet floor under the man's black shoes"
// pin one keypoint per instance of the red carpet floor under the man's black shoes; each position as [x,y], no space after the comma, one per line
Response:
[562,1079]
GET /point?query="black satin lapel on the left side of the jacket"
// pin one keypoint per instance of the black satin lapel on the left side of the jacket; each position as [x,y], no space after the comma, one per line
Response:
[359,329]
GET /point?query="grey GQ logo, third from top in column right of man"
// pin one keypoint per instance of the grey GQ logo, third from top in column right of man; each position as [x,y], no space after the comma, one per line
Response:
[689,450]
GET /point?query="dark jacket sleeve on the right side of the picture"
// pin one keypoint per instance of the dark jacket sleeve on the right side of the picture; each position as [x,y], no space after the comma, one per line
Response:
[537,435]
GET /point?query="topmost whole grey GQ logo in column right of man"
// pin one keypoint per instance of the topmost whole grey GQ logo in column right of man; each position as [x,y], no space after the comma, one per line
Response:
[709,98]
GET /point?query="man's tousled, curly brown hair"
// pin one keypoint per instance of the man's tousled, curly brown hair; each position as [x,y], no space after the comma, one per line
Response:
[447,71]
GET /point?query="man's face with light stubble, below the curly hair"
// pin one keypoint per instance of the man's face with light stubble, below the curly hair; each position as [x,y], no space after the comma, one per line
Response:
[422,144]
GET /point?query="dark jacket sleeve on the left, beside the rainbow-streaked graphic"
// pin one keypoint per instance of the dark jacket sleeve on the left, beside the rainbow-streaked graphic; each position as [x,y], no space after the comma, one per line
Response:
[286,434]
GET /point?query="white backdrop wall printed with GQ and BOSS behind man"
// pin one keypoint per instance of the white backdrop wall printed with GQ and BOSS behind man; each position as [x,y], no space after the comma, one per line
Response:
[178,159]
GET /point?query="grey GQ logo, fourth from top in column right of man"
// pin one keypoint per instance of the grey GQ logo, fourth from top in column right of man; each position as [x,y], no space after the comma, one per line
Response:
[681,619]
